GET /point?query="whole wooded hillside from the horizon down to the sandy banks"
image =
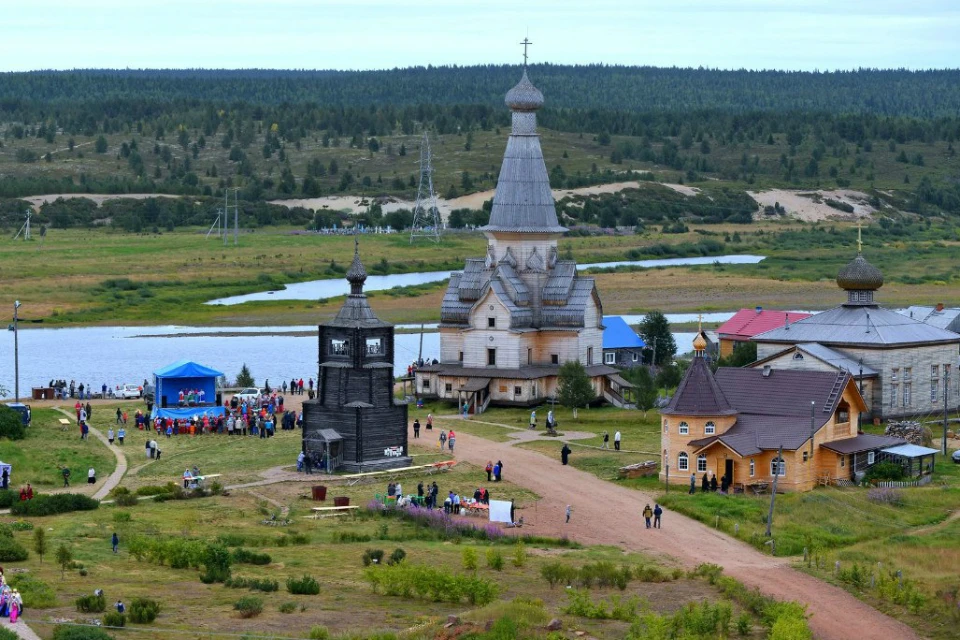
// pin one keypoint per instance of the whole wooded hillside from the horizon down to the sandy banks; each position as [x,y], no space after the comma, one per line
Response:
[292,134]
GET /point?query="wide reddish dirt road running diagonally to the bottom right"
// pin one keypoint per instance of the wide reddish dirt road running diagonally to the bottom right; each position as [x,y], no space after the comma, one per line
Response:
[604,513]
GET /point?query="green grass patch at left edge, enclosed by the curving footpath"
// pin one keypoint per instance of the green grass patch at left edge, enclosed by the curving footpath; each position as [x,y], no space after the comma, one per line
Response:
[36,459]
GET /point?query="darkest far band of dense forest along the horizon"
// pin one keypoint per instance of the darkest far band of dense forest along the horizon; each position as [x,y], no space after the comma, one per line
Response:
[897,92]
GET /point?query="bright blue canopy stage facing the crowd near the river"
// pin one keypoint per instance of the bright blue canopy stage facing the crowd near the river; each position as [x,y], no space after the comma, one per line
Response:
[188,376]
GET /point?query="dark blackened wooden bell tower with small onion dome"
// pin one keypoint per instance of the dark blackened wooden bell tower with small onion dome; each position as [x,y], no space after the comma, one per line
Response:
[354,423]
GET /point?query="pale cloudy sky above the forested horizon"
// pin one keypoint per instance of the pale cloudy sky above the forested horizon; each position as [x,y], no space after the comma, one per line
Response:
[377,34]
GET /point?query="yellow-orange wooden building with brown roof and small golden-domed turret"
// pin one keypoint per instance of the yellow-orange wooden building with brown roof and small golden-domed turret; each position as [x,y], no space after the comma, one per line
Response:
[734,422]
